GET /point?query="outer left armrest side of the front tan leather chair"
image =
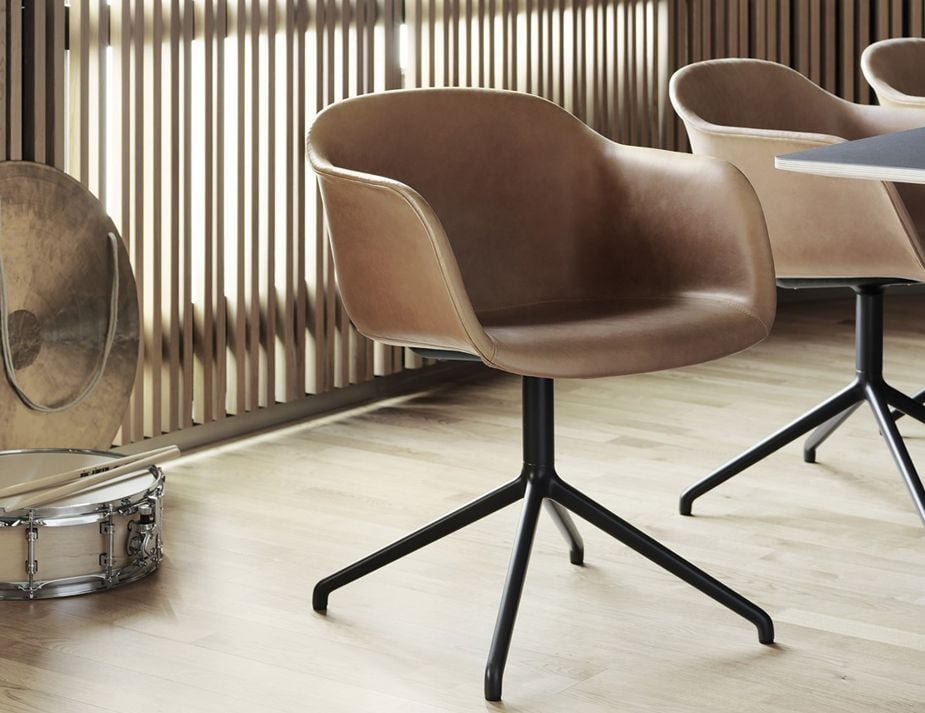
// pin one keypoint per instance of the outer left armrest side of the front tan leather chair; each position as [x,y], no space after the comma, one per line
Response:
[386,227]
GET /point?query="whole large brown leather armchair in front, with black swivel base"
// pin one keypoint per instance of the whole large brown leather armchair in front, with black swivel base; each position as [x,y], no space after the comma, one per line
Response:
[495,226]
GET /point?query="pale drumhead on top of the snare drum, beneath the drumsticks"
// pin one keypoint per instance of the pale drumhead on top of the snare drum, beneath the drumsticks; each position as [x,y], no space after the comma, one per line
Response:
[24,465]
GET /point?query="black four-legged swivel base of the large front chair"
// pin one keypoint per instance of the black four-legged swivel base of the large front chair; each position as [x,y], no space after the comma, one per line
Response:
[536,484]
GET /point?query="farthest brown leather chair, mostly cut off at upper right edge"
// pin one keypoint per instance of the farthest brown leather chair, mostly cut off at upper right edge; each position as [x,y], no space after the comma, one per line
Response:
[896,71]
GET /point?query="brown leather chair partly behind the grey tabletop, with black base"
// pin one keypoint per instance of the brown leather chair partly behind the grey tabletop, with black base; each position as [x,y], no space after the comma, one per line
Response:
[865,235]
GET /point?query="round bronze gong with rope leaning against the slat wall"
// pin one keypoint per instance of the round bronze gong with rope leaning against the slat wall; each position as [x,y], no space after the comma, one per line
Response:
[58,271]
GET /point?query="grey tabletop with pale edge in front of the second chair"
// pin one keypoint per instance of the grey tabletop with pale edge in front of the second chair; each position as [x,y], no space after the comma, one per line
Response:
[898,157]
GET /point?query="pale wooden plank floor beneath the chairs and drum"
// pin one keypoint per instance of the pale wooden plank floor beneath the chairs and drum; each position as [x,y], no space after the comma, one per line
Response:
[833,551]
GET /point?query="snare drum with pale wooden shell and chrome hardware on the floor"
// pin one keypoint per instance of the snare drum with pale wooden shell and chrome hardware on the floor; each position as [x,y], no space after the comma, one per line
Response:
[96,539]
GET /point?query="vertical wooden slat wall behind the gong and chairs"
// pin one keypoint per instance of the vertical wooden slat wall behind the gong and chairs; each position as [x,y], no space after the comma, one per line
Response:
[188,117]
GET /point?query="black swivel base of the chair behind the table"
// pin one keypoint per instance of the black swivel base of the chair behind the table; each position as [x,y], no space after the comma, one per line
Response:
[868,385]
